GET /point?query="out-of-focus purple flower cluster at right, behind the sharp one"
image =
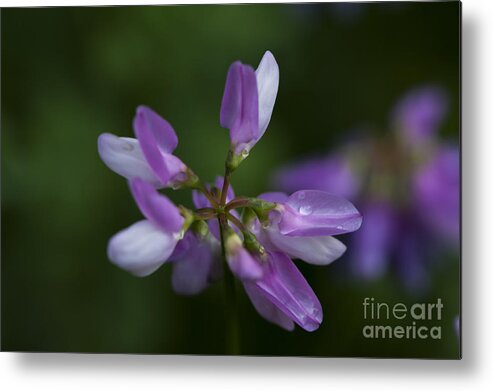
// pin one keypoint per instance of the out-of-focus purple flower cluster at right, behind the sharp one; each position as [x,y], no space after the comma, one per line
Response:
[408,186]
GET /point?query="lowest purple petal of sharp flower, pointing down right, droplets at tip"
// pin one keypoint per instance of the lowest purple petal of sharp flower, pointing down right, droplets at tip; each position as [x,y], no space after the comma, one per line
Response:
[287,289]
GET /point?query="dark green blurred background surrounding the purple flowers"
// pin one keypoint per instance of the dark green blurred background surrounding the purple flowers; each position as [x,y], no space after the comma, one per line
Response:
[69,74]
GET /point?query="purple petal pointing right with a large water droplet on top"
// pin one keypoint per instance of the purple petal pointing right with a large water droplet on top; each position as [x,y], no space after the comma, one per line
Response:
[316,213]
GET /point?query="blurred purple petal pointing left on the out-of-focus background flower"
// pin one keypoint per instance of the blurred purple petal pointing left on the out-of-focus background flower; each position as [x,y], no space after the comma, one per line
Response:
[333,175]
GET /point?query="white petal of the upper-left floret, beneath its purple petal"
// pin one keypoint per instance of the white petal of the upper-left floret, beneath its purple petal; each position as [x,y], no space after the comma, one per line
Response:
[124,156]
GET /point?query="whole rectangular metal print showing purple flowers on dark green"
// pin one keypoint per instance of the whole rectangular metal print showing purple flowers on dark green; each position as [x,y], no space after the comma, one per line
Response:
[277,180]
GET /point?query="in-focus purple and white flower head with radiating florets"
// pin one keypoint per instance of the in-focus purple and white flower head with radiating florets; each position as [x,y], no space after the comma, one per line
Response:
[259,243]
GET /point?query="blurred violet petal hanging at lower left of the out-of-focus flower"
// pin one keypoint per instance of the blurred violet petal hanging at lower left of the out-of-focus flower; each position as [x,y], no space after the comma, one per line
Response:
[371,245]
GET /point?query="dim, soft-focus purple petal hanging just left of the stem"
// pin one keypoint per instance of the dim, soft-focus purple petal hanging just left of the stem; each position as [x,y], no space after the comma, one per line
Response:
[192,265]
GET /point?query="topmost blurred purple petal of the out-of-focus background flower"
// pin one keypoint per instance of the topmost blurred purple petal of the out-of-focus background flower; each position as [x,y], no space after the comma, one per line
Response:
[419,114]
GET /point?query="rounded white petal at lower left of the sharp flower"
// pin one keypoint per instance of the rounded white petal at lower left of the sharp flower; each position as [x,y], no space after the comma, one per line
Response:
[141,248]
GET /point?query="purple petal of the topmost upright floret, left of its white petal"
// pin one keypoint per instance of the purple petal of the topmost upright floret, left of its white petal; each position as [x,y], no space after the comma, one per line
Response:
[239,107]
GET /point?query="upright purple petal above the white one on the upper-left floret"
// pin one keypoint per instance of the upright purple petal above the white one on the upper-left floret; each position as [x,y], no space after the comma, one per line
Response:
[149,122]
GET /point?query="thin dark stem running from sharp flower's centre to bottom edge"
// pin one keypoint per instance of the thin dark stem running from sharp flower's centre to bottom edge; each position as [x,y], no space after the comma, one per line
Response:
[231,308]
